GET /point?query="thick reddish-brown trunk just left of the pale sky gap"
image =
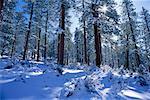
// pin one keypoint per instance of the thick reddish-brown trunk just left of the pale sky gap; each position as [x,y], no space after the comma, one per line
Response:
[61,39]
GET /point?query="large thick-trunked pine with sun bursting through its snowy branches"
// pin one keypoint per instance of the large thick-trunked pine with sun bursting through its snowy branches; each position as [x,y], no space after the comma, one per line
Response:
[103,13]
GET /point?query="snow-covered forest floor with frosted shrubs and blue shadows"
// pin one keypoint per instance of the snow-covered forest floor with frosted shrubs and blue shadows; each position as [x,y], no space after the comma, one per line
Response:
[30,80]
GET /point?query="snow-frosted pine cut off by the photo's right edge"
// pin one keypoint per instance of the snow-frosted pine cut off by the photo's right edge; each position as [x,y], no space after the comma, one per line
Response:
[145,30]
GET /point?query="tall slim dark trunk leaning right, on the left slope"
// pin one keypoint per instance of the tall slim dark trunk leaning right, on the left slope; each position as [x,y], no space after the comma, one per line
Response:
[28,35]
